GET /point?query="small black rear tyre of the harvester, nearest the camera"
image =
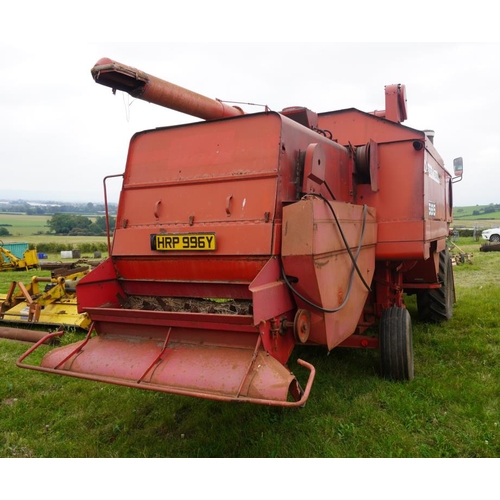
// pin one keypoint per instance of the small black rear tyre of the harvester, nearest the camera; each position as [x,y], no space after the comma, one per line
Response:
[396,344]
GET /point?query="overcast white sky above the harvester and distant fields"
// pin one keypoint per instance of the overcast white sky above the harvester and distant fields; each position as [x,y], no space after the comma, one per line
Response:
[61,133]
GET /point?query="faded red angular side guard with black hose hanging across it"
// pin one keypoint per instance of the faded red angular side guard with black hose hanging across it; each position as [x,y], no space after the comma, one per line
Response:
[315,258]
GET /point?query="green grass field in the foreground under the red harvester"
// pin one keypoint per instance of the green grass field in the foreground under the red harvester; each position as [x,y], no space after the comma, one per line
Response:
[450,409]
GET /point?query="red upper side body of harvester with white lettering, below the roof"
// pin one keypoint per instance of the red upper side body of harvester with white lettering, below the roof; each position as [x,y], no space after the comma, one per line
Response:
[413,200]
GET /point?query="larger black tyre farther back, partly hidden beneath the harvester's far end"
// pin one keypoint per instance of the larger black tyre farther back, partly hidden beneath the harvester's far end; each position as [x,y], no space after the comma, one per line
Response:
[436,304]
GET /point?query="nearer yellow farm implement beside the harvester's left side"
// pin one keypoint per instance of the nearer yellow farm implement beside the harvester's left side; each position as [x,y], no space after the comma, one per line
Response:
[54,305]
